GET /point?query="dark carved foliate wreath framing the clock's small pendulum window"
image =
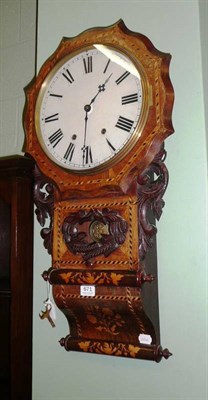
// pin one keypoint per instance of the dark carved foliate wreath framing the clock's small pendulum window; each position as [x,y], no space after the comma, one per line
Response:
[95,232]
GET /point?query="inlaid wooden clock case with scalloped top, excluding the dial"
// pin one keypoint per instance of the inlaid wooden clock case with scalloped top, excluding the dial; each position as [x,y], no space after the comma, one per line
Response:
[122,199]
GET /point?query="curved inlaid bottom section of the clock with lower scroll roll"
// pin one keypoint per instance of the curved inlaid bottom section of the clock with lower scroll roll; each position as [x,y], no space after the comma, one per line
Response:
[113,322]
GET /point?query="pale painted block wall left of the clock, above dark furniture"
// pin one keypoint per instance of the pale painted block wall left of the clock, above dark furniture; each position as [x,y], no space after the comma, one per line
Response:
[17,67]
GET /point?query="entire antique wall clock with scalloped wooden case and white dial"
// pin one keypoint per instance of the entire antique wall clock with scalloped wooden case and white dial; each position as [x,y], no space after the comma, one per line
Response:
[96,118]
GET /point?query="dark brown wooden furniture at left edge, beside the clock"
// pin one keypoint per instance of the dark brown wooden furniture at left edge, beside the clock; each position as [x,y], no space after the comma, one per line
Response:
[16,277]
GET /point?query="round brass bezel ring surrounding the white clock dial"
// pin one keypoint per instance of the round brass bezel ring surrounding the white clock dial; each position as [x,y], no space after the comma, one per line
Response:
[146,104]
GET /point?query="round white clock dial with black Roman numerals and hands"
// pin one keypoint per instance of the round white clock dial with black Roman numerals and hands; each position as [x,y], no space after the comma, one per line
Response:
[89,109]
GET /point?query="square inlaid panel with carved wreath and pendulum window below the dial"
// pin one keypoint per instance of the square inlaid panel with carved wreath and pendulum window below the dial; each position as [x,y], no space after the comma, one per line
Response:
[99,233]
